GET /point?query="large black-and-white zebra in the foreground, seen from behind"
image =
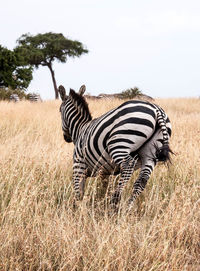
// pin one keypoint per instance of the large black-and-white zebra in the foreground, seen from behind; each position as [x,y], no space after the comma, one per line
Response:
[133,135]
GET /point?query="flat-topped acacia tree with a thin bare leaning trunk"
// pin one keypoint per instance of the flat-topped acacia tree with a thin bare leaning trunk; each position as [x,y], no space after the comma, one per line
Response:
[43,49]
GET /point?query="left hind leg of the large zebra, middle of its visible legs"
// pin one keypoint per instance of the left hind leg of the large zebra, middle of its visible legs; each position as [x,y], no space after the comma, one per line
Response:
[127,168]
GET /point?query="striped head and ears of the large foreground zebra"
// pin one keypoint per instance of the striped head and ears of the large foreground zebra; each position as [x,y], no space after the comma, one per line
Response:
[67,109]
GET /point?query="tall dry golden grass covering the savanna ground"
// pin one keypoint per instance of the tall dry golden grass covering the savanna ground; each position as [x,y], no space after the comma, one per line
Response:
[40,229]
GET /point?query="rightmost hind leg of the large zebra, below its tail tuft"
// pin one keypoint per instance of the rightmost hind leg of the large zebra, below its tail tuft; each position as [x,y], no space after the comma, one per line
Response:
[141,181]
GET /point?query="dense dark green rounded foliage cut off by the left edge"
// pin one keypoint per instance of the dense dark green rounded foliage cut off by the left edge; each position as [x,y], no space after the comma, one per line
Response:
[14,71]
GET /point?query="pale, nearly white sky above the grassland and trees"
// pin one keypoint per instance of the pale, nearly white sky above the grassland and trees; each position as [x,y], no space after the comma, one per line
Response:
[151,44]
